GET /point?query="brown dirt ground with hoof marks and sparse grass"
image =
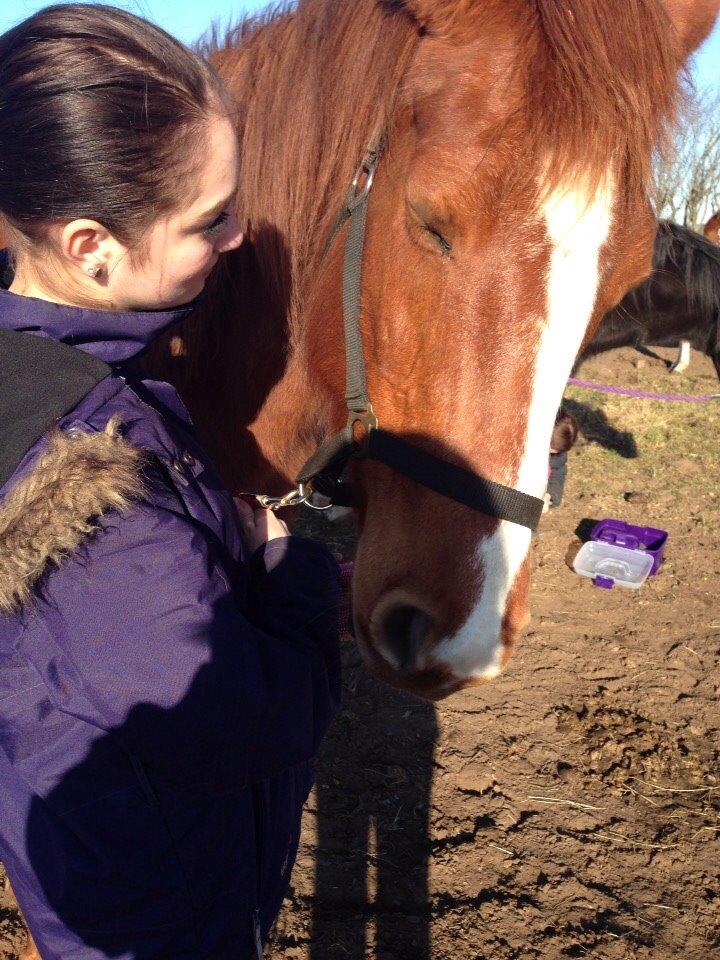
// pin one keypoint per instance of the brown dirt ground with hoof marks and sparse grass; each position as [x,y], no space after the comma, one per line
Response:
[571,808]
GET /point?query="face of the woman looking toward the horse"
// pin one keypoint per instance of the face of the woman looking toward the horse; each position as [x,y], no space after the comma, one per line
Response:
[183,247]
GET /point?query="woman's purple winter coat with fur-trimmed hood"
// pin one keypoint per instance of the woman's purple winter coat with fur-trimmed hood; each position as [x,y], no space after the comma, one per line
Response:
[161,698]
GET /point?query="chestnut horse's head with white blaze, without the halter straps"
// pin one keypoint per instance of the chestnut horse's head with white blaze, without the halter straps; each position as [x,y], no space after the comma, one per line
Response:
[509,213]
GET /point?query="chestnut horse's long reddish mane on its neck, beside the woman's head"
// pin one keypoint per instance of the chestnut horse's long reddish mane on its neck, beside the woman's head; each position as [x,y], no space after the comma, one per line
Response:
[312,85]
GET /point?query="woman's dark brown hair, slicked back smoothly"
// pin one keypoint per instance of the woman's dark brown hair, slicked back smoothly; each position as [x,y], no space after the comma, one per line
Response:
[100,114]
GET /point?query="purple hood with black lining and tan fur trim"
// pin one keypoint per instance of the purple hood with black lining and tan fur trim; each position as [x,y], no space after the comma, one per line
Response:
[52,356]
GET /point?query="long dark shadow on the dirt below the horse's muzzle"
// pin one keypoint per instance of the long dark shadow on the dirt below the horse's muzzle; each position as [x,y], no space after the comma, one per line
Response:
[373,803]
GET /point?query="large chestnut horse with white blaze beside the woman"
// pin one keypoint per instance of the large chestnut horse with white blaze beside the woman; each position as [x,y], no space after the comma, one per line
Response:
[502,224]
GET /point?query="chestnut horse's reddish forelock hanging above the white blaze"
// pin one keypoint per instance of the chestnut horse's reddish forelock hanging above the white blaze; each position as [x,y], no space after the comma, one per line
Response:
[594,83]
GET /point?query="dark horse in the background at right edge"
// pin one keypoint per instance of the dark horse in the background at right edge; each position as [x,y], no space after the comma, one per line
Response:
[680,300]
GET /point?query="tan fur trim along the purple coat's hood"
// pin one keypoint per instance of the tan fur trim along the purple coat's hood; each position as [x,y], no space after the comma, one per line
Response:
[54,507]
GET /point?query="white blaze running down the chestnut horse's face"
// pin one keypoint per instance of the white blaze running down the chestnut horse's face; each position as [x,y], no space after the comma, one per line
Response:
[577,228]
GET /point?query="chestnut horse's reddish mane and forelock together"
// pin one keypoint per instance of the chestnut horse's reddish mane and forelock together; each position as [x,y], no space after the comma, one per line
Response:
[315,80]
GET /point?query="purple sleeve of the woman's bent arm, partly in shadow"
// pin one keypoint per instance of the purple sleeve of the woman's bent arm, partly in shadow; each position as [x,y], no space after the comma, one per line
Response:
[144,636]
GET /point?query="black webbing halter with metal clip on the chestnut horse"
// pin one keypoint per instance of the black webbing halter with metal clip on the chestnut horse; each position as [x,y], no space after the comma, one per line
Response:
[322,471]
